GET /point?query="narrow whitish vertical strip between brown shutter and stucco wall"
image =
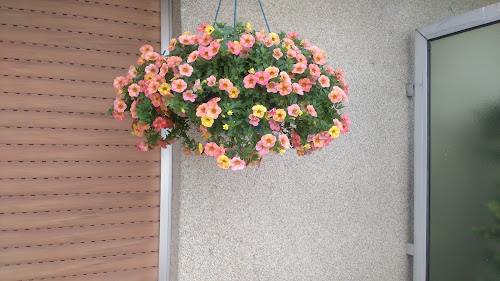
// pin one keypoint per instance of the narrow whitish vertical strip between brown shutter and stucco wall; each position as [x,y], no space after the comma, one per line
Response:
[166,165]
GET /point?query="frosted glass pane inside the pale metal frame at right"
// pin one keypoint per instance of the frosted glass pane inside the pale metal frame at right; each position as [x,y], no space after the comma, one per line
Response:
[464,154]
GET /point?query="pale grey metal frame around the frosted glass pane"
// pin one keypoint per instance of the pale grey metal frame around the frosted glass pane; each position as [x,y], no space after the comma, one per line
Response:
[474,19]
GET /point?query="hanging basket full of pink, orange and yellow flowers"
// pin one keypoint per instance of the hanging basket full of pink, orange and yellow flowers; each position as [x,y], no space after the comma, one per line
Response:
[246,93]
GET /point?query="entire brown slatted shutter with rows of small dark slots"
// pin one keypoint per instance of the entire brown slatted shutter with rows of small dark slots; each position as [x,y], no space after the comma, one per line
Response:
[78,201]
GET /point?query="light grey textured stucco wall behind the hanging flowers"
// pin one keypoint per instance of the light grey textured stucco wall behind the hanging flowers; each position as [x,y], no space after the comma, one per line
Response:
[341,214]
